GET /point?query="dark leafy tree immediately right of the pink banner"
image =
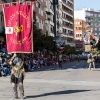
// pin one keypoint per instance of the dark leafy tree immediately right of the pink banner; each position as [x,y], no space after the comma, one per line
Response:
[41,41]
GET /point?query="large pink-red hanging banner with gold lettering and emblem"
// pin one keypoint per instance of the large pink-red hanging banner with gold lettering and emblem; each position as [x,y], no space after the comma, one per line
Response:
[18,28]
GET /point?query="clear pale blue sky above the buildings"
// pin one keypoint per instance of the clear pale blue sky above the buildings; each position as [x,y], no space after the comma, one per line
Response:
[94,4]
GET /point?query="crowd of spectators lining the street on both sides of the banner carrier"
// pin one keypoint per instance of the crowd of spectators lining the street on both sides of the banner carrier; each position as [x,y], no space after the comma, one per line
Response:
[32,61]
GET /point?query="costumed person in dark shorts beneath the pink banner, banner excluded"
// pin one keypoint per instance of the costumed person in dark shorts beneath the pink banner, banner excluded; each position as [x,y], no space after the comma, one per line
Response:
[17,74]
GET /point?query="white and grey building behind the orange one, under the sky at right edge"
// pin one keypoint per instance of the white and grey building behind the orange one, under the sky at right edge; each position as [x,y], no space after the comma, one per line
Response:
[91,17]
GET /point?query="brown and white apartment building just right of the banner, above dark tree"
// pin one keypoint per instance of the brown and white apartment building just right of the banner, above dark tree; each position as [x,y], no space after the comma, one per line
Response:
[43,13]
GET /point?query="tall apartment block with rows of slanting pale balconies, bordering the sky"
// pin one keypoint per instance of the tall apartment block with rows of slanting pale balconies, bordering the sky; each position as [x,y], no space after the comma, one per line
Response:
[65,20]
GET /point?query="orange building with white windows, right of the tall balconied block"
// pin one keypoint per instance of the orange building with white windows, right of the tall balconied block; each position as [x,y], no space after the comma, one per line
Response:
[79,29]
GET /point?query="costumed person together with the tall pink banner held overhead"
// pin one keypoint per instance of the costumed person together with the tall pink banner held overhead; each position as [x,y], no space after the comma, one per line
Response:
[19,35]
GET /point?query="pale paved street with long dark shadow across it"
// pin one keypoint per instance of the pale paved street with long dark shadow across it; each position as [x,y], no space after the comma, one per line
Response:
[73,82]
